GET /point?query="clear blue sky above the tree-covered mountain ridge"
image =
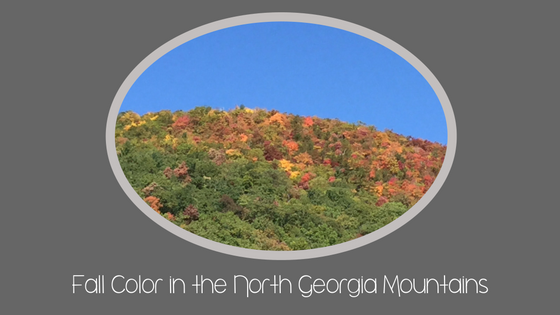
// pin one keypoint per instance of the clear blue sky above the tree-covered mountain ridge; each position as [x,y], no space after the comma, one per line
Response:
[298,68]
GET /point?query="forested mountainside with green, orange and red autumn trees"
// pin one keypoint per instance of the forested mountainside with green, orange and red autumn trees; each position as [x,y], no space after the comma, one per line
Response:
[273,181]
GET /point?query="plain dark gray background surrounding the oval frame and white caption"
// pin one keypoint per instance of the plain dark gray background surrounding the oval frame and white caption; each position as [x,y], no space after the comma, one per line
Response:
[64,212]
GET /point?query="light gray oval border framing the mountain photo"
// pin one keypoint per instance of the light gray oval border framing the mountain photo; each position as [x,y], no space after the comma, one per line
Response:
[281,17]
